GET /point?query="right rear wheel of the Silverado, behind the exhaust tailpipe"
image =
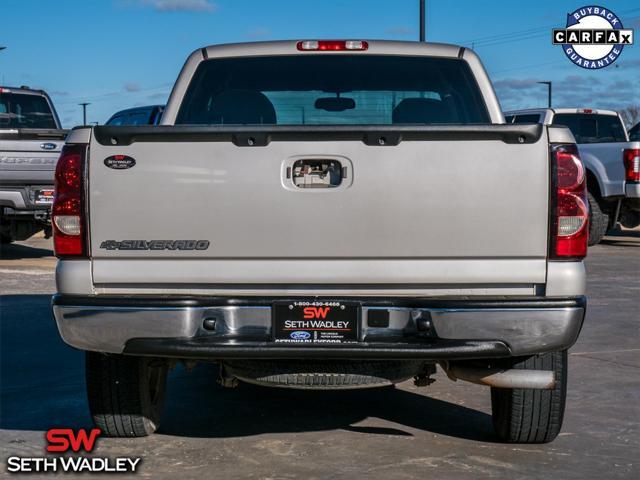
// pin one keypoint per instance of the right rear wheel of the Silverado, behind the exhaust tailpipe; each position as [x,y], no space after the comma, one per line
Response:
[531,416]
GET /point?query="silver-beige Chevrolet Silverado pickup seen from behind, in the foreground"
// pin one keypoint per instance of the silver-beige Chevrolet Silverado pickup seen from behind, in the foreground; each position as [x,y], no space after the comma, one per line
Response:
[324,215]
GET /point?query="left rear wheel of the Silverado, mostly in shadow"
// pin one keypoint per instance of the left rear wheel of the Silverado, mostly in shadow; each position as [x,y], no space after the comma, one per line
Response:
[125,393]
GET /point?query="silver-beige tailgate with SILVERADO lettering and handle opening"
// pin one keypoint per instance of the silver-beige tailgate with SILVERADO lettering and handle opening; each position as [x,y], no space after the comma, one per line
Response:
[442,206]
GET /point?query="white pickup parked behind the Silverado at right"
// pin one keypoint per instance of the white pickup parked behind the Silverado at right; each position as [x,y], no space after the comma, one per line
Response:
[611,160]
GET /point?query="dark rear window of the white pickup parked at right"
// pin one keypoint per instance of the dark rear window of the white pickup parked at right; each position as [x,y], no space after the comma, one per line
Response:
[592,128]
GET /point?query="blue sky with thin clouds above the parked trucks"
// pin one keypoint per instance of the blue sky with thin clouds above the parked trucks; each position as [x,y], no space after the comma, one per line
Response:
[118,54]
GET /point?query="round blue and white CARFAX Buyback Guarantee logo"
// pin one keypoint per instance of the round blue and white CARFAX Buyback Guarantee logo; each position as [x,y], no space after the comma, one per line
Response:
[593,38]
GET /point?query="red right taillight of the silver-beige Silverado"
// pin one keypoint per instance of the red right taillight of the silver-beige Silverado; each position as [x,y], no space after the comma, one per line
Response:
[570,219]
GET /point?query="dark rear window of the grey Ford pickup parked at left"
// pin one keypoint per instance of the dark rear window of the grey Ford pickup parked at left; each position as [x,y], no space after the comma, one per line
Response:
[20,110]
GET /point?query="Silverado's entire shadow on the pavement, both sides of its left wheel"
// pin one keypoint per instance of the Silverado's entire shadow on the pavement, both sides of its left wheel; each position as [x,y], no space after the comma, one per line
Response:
[42,386]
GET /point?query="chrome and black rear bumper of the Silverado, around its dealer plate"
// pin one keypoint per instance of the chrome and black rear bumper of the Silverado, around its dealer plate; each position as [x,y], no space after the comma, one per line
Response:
[458,329]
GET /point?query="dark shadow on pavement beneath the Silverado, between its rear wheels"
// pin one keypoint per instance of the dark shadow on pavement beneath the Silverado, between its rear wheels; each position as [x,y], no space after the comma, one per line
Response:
[252,410]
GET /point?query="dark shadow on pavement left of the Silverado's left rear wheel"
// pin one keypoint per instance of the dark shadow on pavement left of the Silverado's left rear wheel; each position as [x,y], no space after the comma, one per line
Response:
[41,379]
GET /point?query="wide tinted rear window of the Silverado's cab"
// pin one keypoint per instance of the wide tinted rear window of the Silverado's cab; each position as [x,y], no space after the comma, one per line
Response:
[332,90]
